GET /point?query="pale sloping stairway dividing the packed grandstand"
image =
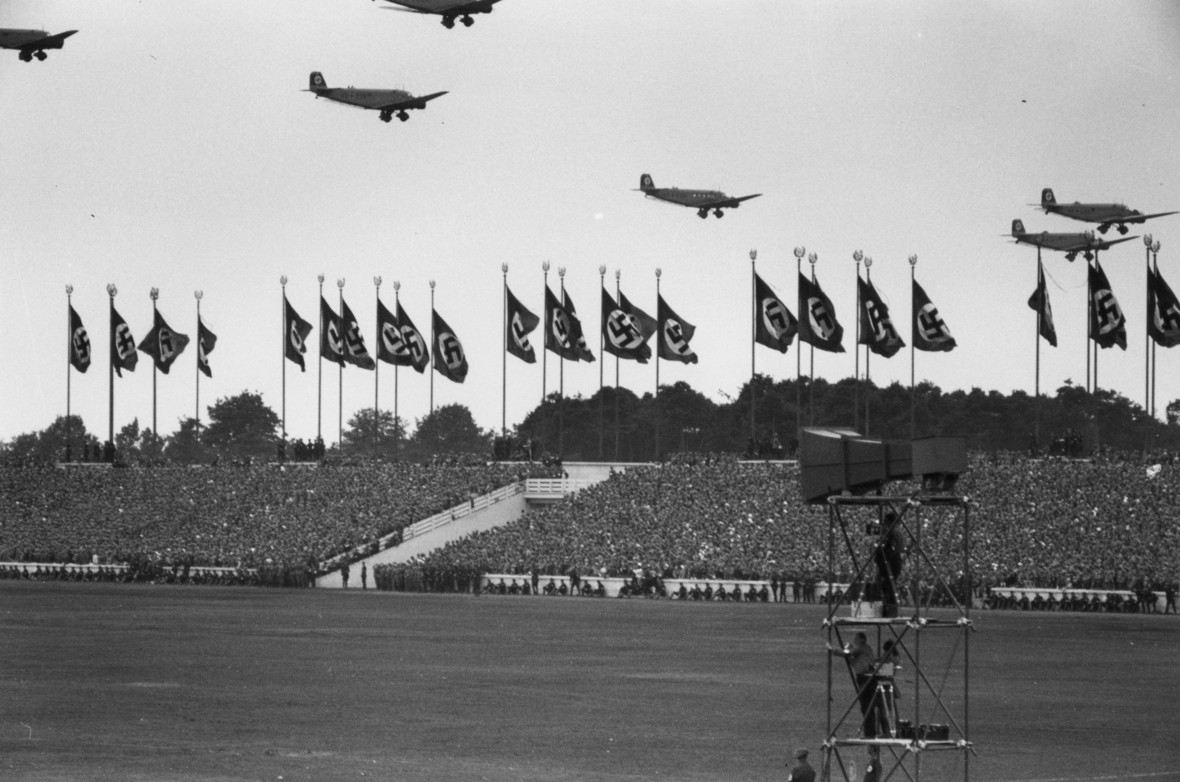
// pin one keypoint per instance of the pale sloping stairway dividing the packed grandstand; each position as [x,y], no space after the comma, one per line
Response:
[482,514]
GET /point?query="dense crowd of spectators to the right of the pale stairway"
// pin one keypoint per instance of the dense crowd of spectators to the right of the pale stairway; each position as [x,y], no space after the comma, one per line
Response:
[1048,523]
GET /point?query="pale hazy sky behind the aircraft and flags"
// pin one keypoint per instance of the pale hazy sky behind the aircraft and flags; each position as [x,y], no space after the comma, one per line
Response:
[169,146]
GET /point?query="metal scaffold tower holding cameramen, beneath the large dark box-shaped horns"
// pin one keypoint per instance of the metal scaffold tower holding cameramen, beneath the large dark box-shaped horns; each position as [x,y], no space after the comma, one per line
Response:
[899,673]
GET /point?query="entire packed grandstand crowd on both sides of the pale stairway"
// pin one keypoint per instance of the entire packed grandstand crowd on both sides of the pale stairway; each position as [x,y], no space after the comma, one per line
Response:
[1106,523]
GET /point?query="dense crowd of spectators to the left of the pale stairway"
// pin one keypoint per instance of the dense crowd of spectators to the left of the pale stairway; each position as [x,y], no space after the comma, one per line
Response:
[250,517]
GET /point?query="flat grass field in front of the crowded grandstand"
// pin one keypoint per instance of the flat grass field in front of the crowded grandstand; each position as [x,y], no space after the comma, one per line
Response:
[134,682]
